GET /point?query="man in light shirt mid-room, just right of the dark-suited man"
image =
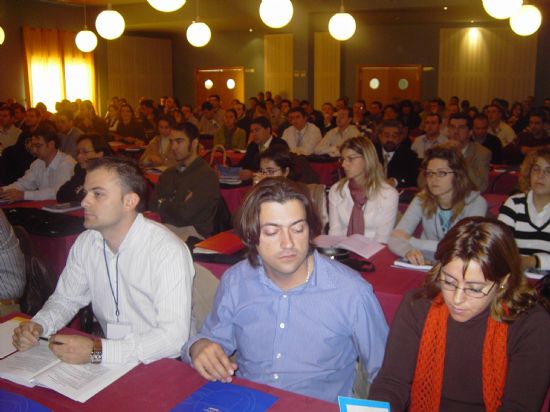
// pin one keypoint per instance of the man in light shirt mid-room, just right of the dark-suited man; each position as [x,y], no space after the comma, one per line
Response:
[302,136]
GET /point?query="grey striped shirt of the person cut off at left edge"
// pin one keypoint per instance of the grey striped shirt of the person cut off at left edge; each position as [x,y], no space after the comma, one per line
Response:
[12,262]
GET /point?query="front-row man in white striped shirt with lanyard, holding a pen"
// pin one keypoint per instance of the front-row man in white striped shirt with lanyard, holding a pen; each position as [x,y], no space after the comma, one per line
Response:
[136,273]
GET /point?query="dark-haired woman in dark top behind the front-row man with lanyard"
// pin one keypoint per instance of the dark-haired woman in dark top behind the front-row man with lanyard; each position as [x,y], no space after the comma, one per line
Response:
[88,147]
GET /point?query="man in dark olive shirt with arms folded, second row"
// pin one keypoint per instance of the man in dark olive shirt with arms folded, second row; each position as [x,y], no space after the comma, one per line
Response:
[187,194]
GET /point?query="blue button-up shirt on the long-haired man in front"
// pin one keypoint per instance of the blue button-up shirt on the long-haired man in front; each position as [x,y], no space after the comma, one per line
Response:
[306,340]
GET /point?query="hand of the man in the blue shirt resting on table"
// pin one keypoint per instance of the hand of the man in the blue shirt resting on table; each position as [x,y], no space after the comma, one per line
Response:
[211,362]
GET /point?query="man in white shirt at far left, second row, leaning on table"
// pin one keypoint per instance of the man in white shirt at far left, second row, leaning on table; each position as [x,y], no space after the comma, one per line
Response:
[46,174]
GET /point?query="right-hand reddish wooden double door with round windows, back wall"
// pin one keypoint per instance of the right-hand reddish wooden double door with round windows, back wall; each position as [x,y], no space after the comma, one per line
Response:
[389,84]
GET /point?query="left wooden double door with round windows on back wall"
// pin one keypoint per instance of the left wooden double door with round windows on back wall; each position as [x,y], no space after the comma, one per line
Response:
[217,79]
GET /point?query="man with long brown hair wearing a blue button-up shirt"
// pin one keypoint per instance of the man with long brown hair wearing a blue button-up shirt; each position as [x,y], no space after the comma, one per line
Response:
[297,320]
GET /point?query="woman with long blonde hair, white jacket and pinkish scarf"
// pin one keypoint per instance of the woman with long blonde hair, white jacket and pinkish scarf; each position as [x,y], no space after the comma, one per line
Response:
[362,202]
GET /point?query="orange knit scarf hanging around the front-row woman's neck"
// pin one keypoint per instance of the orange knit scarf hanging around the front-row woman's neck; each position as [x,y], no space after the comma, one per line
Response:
[428,375]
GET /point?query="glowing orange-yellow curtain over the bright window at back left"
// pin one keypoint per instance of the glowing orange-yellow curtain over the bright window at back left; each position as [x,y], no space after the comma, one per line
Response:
[56,69]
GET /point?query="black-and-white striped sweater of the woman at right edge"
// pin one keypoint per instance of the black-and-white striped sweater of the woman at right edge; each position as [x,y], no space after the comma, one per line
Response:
[531,228]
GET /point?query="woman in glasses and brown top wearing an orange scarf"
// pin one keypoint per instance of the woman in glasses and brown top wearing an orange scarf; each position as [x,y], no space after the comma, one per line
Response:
[473,338]
